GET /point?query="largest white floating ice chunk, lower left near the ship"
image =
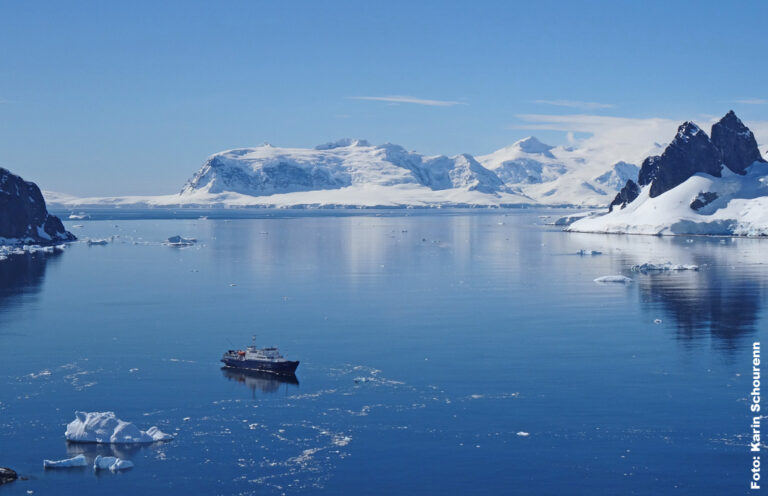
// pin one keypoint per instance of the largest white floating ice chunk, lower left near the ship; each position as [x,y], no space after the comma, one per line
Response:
[105,427]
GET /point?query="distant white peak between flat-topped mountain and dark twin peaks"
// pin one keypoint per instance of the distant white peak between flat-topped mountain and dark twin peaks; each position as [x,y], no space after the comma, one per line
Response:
[559,175]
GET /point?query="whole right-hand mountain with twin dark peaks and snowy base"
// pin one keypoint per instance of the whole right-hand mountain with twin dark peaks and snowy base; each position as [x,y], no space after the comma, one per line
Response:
[698,185]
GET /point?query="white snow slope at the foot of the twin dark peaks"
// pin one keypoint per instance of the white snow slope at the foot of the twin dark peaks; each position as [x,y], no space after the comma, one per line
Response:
[741,208]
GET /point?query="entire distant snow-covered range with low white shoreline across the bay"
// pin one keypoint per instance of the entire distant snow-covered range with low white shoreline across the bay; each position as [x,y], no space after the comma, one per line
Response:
[355,173]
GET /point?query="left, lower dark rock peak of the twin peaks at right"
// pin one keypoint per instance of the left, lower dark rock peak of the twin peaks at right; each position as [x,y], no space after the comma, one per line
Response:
[690,152]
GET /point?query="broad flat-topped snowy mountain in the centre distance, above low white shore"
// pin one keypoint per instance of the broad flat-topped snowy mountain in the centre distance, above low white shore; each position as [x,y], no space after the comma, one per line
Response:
[268,170]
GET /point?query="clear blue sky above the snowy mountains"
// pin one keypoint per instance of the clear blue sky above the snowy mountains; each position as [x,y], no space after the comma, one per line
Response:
[108,98]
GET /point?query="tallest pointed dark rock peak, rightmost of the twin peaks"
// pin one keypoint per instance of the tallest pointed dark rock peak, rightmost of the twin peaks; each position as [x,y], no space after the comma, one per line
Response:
[736,143]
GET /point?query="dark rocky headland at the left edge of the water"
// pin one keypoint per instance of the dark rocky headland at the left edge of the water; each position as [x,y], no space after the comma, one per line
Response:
[23,216]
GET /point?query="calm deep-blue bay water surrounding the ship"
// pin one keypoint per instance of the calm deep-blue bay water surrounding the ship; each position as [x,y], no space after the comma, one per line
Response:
[467,328]
